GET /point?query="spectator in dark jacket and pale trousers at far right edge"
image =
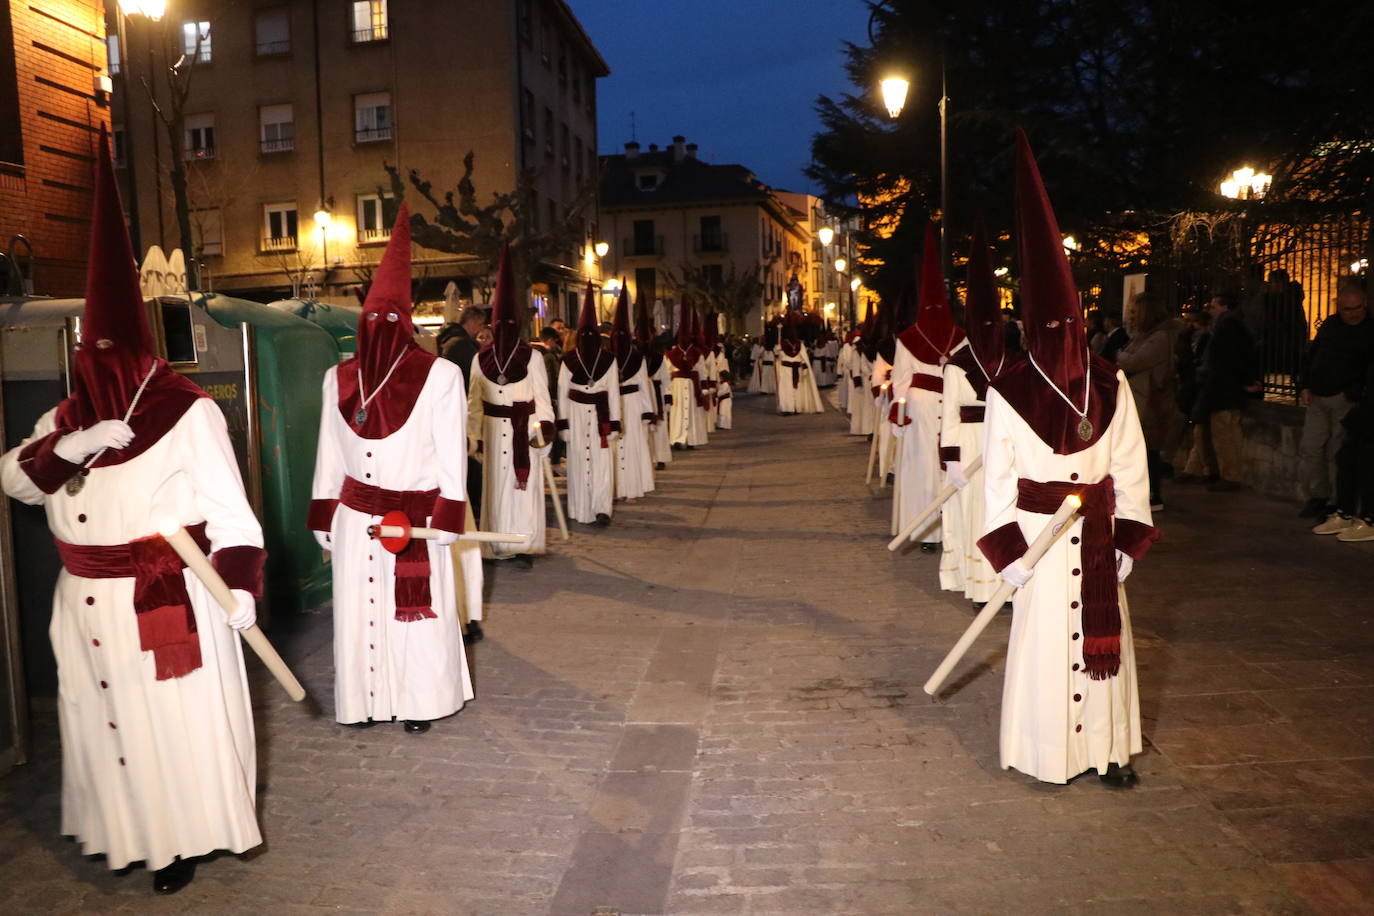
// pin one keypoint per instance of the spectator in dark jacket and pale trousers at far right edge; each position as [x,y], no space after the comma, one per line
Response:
[1331,384]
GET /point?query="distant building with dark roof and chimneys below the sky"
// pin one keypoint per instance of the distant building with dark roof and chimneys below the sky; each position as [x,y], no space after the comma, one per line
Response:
[666,212]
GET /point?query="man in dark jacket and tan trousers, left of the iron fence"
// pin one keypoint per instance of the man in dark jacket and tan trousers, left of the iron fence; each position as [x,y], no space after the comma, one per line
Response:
[1228,378]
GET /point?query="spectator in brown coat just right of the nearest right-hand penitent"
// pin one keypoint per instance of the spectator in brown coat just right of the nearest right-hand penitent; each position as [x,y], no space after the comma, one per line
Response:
[1148,362]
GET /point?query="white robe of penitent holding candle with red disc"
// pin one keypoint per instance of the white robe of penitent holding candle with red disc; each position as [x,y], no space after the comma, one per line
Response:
[385,668]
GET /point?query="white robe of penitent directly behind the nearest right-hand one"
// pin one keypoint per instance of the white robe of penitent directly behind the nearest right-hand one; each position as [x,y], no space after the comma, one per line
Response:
[967,569]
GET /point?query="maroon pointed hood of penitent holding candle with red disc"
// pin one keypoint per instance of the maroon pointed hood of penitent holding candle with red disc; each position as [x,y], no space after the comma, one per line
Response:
[390,369]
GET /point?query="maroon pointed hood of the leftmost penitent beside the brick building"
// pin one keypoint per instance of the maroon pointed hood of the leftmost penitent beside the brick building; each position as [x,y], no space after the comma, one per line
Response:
[117,351]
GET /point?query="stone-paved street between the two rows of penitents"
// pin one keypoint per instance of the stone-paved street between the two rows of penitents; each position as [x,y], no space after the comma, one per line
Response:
[715,707]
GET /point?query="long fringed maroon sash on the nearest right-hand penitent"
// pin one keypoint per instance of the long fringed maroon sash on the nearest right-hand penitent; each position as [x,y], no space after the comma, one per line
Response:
[1101,610]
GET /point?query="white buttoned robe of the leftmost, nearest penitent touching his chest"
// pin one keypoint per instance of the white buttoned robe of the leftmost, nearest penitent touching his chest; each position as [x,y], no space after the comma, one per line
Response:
[150,770]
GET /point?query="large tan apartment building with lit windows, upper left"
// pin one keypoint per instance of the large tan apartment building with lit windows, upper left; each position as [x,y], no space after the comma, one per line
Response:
[296,106]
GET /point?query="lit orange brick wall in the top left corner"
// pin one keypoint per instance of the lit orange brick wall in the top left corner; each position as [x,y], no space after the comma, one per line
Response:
[58,56]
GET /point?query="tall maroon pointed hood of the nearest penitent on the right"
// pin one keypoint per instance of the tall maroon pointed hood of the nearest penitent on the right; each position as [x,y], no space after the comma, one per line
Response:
[1059,370]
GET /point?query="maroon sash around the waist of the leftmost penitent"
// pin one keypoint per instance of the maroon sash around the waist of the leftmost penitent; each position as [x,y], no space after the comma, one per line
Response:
[167,623]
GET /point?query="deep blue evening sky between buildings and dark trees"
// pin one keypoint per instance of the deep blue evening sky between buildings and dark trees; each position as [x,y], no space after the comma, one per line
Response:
[739,78]
